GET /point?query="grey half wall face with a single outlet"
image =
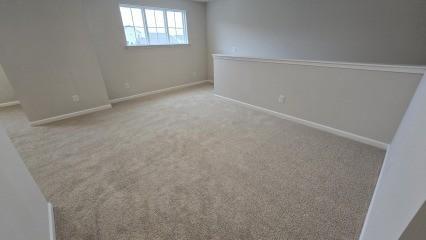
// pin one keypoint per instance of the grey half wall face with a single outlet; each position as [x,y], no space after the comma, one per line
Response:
[367,103]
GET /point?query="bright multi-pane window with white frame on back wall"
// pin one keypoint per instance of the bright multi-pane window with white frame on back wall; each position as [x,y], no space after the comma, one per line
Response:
[153,26]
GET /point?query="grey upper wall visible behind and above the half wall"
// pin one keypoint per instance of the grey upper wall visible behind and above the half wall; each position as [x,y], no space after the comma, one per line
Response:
[379,31]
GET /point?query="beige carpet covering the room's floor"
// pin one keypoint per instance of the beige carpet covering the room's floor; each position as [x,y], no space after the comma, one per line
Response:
[188,165]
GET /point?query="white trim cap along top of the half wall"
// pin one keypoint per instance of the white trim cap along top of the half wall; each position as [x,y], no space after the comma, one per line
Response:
[347,65]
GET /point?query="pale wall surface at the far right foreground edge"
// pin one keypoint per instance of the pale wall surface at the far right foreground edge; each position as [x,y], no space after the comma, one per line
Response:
[401,190]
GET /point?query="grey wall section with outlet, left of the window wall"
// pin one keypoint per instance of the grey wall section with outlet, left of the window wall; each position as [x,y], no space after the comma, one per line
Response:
[46,52]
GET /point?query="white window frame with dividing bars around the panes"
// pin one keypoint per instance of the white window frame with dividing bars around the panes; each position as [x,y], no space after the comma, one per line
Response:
[145,23]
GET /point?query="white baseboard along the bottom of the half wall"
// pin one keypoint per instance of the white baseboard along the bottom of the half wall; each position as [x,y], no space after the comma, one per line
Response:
[318,126]
